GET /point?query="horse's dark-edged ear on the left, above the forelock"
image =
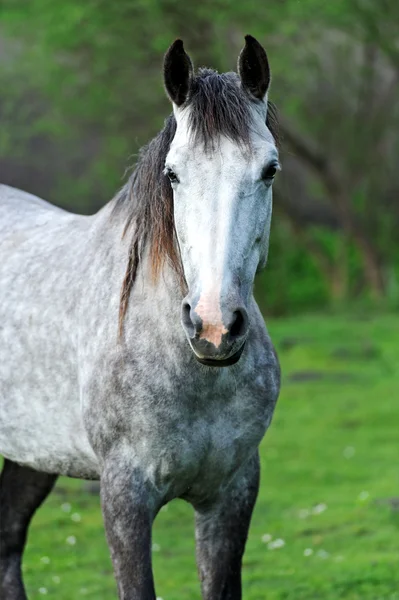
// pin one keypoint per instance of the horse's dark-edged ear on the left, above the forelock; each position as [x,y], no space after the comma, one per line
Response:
[178,71]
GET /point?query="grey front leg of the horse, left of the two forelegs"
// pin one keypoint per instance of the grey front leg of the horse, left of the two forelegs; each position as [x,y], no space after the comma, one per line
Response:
[128,516]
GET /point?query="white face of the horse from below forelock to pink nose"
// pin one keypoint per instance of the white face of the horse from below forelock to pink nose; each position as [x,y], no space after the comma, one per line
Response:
[220,207]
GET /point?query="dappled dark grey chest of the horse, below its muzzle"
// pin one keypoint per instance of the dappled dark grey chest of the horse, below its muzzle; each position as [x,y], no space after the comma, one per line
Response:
[186,434]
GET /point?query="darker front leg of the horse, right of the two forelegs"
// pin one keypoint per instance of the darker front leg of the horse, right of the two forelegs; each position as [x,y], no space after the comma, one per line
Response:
[221,534]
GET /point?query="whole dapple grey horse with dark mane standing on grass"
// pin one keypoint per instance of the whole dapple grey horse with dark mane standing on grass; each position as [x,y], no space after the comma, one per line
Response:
[132,349]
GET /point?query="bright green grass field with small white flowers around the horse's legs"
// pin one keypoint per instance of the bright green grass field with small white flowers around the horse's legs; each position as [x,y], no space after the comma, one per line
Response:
[326,523]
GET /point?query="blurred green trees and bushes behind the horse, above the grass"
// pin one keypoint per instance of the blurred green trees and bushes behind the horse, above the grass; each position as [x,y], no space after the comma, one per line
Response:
[81,91]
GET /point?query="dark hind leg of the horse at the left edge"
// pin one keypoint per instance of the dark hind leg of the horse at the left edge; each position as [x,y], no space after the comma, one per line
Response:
[22,490]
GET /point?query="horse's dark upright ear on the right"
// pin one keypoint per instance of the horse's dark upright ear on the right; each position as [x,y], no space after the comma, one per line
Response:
[253,68]
